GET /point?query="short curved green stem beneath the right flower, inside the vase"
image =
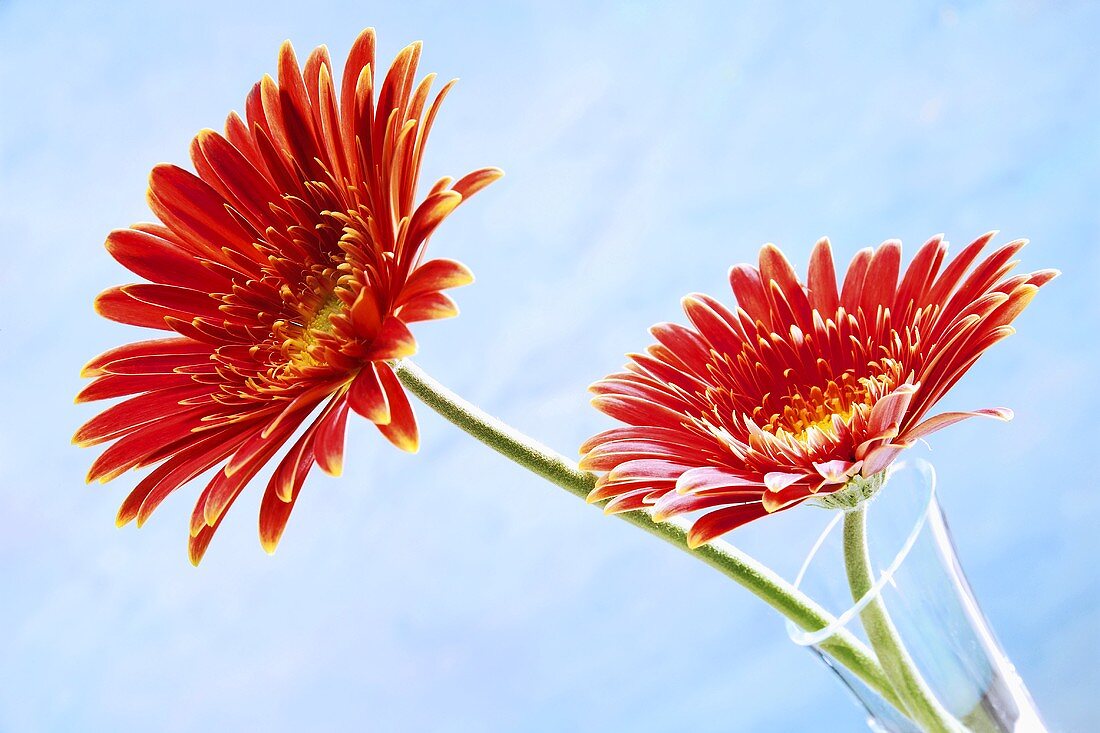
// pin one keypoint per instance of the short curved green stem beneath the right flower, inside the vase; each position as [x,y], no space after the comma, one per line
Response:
[899,668]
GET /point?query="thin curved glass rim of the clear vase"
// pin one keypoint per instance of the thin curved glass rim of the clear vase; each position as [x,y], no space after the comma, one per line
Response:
[804,638]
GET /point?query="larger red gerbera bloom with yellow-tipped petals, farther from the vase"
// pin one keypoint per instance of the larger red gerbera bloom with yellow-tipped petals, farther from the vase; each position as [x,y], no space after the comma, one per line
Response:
[288,271]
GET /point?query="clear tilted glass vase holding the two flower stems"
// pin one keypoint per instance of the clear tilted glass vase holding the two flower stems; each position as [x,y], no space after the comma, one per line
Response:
[922,587]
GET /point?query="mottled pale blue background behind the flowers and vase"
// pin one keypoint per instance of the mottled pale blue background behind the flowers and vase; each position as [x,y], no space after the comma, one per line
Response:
[648,148]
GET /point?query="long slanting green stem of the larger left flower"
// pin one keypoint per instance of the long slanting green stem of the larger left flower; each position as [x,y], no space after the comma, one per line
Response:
[728,560]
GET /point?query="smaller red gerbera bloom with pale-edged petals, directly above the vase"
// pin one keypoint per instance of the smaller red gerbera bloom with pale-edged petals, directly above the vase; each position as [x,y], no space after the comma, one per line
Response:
[805,386]
